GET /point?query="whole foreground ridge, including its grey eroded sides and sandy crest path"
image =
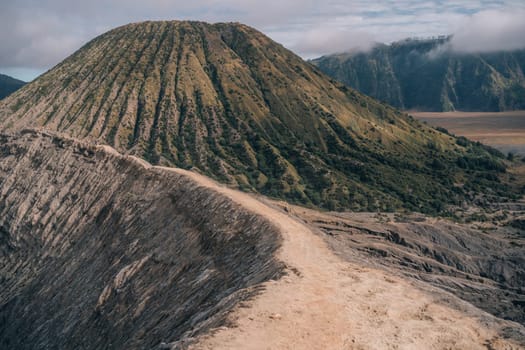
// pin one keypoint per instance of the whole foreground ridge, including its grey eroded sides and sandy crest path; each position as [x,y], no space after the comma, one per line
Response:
[130,255]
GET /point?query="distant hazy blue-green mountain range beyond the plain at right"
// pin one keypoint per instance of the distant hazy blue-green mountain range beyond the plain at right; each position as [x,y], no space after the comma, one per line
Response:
[428,75]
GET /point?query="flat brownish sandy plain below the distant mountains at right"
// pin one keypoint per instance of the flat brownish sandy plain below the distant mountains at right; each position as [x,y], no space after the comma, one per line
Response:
[502,130]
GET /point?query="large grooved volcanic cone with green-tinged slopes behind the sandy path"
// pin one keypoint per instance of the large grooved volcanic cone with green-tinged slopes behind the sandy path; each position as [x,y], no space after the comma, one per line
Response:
[242,109]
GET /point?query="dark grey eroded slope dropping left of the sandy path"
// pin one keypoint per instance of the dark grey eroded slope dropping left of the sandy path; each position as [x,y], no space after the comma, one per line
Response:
[98,252]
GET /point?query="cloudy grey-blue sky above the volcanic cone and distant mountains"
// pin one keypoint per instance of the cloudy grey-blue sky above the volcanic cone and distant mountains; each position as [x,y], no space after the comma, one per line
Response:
[37,34]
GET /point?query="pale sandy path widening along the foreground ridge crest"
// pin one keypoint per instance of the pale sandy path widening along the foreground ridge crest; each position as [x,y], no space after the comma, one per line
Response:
[325,303]
